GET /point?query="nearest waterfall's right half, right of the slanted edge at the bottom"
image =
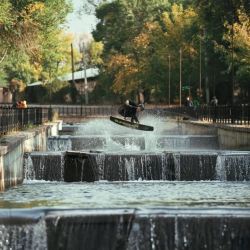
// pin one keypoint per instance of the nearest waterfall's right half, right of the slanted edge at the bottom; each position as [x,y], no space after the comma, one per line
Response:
[189,231]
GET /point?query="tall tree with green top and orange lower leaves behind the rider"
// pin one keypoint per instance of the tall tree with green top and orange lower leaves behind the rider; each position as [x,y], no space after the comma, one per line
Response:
[121,23]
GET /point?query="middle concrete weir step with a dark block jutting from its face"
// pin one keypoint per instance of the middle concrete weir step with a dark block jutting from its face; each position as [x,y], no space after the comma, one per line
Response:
[91,166]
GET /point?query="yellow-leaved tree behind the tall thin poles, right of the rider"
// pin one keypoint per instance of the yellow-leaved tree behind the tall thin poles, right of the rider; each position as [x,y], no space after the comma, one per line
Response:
[178,32]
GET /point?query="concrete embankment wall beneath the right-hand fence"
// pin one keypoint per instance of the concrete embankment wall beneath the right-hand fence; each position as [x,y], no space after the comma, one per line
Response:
[231,137]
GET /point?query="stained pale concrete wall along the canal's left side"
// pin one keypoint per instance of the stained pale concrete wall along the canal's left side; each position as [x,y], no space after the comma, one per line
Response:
[13,147]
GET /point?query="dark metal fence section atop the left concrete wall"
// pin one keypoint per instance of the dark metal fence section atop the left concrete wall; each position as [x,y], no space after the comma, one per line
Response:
[15,119]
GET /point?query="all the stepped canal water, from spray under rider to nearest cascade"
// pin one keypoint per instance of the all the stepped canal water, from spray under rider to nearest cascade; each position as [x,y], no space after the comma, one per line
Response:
[138,194]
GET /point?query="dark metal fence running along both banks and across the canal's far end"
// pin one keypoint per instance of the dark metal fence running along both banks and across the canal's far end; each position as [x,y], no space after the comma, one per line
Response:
[13,119]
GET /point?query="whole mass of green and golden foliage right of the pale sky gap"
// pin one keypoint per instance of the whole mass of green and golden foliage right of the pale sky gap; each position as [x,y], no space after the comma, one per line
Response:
[140,35]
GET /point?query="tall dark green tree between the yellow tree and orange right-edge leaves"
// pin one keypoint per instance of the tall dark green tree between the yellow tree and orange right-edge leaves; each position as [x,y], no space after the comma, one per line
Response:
[213,15]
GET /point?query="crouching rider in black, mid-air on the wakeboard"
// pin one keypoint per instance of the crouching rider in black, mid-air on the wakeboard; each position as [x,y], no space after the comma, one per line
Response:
[129,109]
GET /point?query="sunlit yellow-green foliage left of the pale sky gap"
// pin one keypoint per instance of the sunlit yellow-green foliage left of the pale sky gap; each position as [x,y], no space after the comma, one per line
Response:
[33,46]
